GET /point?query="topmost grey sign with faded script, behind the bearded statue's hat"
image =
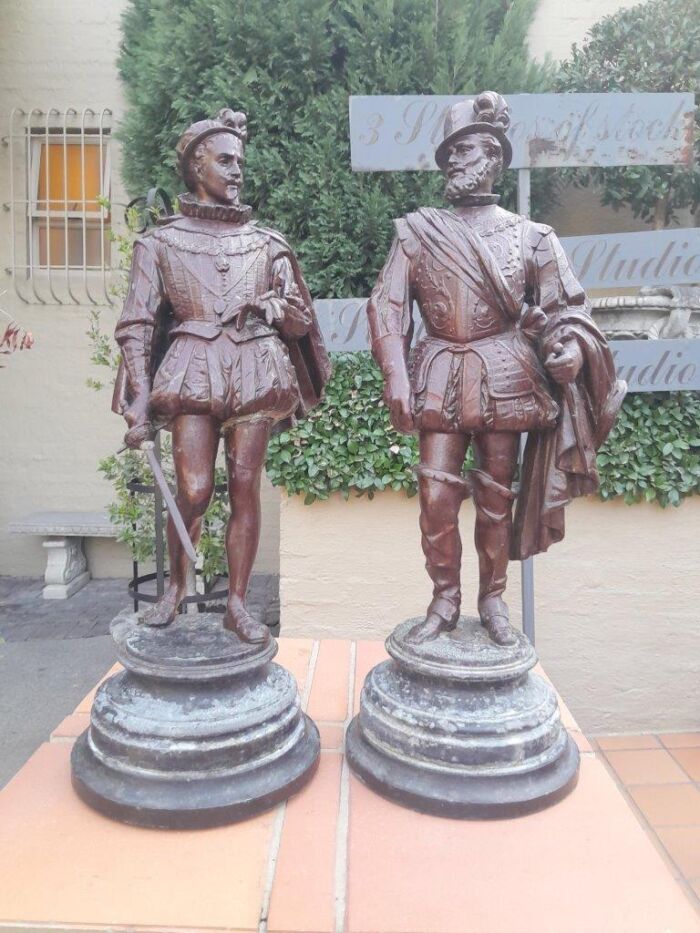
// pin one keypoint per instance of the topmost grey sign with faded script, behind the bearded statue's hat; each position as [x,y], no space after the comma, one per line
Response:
[394,133]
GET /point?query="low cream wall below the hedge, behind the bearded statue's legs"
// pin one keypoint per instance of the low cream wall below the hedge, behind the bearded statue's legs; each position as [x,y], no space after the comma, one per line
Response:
[617,602]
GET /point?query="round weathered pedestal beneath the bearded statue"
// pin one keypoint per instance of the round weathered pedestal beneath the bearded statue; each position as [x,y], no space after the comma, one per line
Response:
[459,727]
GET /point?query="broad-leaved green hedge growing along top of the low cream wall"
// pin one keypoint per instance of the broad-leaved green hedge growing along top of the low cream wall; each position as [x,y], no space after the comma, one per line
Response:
[347,444]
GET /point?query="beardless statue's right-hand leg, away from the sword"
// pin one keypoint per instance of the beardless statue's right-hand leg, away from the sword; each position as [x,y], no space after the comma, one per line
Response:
[246,447]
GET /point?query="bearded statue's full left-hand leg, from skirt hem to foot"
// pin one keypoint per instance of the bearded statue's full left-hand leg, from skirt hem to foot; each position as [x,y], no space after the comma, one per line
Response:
[441,490]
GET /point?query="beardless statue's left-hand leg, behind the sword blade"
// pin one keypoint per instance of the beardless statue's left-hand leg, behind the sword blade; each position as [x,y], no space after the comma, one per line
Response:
[195,443]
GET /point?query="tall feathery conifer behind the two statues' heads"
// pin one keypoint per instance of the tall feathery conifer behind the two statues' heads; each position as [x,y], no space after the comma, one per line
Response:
[291,67]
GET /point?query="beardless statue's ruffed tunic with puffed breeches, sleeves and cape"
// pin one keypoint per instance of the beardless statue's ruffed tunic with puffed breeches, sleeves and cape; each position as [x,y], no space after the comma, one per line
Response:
[191,336]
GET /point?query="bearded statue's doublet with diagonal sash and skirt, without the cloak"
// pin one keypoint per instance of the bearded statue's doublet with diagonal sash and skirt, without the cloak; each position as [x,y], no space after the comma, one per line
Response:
[475,368]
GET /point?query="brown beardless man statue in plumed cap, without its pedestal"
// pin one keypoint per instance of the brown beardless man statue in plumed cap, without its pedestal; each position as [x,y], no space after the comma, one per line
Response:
[218,337]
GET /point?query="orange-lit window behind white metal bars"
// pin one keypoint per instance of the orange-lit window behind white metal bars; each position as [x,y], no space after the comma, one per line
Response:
[59,204]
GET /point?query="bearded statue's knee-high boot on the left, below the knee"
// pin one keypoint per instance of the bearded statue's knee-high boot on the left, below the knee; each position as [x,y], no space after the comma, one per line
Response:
[441,495]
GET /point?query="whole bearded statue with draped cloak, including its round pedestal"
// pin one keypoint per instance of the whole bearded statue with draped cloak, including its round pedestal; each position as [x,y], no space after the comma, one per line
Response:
[455,724]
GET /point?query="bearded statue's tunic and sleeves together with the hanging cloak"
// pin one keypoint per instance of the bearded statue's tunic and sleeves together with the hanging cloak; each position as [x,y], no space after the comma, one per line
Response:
[497,294]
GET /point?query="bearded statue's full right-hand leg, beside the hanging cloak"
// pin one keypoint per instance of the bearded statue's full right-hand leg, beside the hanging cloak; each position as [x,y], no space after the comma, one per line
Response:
[496,457]
